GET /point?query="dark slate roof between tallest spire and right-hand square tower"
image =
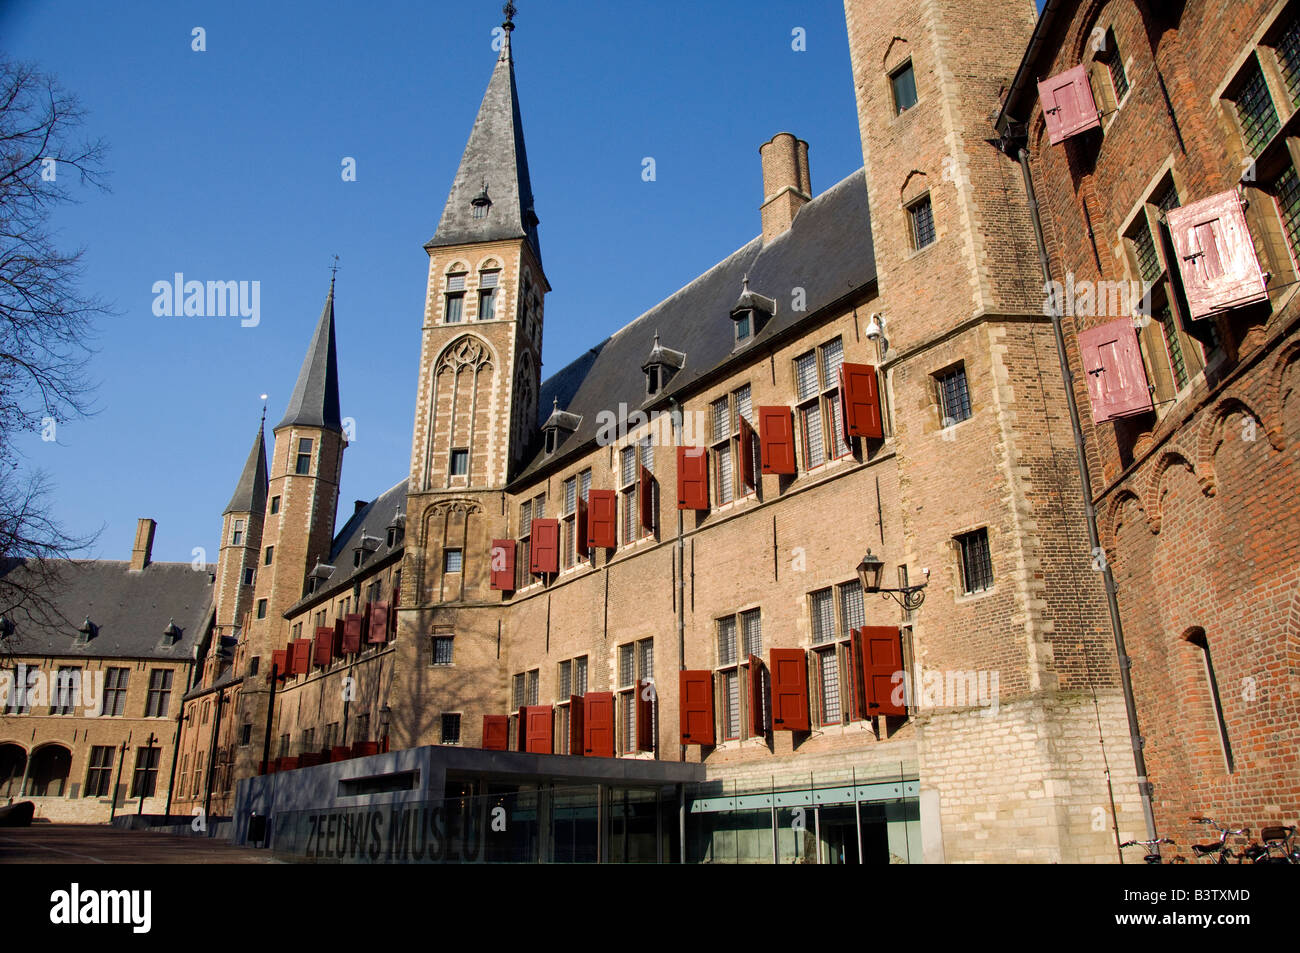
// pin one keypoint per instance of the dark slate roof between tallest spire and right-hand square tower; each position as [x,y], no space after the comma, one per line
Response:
[827,253]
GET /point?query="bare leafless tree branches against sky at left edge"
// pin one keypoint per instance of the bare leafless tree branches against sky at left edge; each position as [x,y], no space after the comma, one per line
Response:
[46,322]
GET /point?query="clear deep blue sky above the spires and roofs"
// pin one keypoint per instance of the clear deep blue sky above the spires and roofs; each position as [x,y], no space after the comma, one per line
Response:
[226,166]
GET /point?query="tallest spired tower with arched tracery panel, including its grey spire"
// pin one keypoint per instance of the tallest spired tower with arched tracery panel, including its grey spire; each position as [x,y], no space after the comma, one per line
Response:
[476,409]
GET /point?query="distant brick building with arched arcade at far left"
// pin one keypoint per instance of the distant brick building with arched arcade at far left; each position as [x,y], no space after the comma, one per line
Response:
[90,675]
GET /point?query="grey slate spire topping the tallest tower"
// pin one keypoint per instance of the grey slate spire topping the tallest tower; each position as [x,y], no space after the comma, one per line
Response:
[493,167]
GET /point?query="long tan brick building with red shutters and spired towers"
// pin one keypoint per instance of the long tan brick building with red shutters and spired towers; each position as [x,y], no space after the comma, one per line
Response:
[653,556]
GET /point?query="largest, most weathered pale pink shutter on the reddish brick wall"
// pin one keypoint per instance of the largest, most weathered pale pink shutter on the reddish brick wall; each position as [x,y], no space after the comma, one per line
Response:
[1216,255]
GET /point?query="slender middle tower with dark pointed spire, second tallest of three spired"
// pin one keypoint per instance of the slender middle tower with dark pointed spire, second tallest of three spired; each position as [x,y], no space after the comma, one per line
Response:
[298,525]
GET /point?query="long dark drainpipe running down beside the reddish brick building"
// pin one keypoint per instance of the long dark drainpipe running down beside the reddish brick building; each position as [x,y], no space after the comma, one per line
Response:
[1086,483]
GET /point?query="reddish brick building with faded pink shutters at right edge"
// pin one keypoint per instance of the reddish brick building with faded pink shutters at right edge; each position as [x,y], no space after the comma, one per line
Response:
[1163,146]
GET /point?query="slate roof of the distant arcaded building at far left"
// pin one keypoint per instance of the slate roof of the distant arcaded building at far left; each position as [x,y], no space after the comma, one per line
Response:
[129,609]
